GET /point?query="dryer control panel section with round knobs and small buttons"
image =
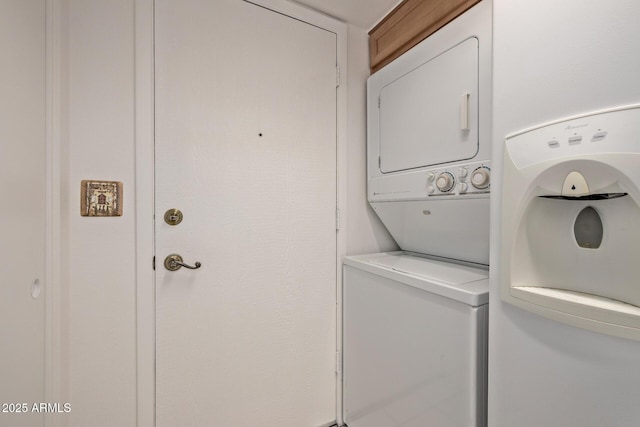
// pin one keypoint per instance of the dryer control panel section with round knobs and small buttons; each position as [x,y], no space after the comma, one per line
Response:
[459,180]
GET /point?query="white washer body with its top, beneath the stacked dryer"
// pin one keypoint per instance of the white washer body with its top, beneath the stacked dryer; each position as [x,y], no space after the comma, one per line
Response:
[413,358]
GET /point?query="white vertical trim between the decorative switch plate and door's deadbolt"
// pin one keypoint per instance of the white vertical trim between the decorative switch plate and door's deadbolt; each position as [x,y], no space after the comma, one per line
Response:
[144,188]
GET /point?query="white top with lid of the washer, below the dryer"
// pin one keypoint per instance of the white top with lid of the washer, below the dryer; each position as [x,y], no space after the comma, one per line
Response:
[462,283]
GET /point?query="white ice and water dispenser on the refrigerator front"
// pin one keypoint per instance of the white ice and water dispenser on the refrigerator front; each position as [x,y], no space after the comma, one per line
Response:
[557,262]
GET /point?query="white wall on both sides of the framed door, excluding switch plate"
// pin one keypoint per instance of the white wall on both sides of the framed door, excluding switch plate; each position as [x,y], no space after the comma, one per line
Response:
[98,255]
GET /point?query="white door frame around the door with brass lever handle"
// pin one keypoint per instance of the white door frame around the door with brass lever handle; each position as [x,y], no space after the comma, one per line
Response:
[145,189]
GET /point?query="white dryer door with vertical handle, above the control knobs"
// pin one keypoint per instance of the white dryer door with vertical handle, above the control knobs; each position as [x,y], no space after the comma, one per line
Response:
[429,116]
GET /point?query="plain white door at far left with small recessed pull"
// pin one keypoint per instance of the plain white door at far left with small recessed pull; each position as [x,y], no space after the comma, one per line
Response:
[22,225]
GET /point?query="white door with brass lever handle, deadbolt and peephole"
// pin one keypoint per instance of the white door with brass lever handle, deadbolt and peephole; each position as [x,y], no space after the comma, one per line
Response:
[246,150]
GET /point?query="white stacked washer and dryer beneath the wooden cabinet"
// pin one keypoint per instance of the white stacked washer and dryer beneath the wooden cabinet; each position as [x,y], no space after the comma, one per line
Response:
[415,321]
